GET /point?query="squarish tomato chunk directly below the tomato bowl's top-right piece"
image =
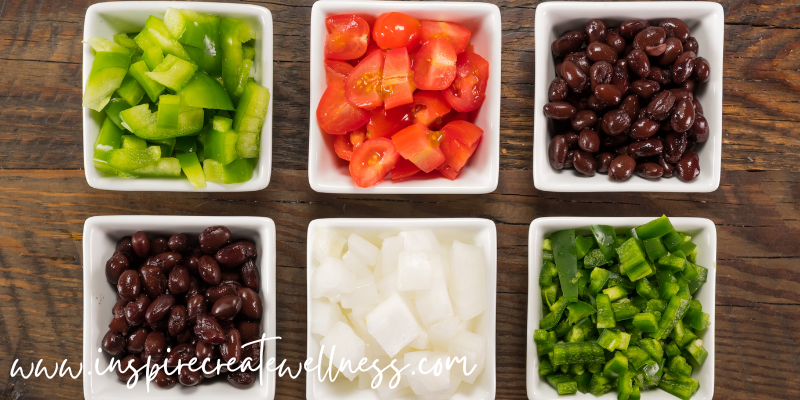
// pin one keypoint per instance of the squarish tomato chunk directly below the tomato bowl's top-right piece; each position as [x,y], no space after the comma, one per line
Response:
[435,65]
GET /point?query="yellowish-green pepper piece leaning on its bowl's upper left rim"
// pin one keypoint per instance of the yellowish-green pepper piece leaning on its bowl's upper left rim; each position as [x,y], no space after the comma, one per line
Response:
[108,71]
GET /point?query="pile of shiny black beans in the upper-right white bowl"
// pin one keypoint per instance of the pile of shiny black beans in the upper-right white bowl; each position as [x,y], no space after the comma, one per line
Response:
[623,100]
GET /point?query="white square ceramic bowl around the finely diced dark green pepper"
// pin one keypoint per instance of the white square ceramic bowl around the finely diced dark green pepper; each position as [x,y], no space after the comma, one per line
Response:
[704,235]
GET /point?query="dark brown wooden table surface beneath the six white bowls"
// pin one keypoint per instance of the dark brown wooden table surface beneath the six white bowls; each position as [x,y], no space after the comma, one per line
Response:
[44,197]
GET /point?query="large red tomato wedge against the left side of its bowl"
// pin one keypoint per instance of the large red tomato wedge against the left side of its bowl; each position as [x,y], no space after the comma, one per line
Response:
[335,115]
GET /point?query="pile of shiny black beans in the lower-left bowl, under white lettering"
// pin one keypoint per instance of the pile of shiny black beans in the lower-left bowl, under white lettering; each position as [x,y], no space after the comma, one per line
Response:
[181,298]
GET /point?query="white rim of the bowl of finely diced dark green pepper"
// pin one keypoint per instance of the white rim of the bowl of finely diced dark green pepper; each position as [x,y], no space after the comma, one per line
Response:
[541,227]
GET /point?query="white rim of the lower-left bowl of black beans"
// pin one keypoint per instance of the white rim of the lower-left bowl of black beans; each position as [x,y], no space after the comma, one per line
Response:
[265,228]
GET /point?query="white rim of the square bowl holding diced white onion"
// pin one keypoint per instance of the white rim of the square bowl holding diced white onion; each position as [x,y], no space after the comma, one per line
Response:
[354,224]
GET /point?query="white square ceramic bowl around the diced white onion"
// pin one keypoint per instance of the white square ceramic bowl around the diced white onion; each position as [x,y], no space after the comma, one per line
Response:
[474,231]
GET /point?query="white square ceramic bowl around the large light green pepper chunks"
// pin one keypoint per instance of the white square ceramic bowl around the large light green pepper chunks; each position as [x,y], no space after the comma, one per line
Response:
[107,19]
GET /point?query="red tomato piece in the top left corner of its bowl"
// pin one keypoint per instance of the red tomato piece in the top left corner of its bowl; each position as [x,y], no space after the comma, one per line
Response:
[347,37]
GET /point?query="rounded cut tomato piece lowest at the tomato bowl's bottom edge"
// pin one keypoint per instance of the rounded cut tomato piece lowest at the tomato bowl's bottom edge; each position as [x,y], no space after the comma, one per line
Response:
[372,161]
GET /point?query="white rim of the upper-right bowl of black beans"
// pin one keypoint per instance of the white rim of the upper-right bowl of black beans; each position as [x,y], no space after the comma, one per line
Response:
[547,179]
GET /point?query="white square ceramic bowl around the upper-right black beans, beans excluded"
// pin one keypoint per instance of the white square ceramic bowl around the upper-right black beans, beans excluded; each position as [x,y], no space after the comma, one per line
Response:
[707,23]
